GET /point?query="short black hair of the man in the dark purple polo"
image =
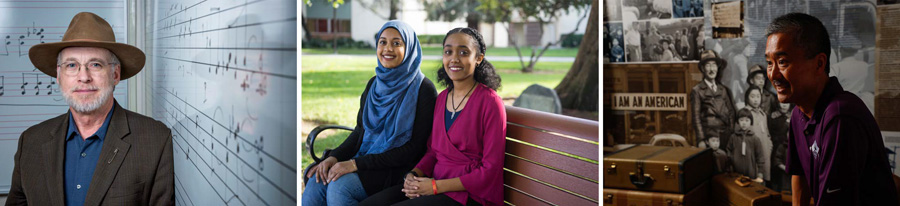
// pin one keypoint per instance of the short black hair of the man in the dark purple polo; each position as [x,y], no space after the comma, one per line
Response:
[809,34]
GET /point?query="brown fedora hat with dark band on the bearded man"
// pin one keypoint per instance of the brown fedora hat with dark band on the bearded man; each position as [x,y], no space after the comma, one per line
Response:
[87,30]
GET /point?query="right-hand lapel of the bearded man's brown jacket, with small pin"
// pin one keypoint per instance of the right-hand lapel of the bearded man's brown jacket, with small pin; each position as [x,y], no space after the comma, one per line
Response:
[111,157]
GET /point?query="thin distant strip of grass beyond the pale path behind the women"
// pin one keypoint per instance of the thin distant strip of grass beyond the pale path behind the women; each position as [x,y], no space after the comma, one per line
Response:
[436,51]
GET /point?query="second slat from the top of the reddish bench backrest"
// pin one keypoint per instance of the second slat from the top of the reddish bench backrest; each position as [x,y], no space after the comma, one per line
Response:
[558,143]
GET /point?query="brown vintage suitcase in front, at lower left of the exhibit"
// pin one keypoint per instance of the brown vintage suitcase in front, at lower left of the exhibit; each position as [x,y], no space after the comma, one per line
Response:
[658,169]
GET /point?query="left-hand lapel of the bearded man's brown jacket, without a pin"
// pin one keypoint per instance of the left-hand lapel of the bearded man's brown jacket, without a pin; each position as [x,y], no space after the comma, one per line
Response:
[54,151]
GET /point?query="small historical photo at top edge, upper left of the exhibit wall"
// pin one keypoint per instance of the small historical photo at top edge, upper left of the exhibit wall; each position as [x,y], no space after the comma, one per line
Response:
[646,9]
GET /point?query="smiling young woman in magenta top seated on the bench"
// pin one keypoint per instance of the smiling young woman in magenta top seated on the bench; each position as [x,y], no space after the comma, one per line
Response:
[463,164]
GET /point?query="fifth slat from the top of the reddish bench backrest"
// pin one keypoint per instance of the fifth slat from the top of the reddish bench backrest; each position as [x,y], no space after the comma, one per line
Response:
[552,195]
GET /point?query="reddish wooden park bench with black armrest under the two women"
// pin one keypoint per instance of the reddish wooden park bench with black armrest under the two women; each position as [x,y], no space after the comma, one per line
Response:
[541,167]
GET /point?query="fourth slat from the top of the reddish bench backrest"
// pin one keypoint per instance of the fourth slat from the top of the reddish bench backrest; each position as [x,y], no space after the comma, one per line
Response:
[553,177]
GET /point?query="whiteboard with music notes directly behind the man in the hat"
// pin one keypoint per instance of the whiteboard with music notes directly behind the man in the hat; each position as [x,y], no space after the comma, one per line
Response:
[28,96]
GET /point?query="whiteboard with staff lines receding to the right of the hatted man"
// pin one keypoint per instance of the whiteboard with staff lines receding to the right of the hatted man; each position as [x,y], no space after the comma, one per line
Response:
[225,82]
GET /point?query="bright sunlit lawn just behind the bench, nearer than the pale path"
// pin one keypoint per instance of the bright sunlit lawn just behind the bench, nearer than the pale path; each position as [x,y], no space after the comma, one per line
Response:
[331,87]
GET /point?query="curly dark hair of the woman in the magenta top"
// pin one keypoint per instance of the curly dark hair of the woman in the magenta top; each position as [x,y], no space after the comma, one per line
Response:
[484,72]
